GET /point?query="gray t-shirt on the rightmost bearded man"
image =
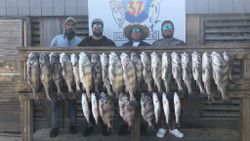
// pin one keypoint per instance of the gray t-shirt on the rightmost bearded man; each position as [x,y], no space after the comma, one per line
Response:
[168,42]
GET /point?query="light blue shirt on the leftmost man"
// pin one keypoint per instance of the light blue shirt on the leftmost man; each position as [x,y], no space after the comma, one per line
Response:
[62,41]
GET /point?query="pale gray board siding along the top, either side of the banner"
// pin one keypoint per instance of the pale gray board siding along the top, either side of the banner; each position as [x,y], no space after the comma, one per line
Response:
[79,7]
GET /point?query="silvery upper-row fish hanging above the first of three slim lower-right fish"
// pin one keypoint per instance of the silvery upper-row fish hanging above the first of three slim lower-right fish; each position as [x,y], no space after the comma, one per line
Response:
[156,70]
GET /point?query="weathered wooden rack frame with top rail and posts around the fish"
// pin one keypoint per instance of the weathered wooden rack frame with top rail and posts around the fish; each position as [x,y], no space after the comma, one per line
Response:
[239,88]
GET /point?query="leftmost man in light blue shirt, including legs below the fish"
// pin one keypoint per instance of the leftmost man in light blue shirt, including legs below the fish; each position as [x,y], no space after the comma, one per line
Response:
[66,40]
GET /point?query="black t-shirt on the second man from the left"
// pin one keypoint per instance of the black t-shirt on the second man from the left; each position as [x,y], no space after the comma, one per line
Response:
[90,41]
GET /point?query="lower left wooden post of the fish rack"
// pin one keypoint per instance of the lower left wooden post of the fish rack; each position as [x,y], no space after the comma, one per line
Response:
[26,118]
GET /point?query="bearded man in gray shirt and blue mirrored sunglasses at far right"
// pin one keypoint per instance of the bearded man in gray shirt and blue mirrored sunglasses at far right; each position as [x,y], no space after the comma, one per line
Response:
[167,30]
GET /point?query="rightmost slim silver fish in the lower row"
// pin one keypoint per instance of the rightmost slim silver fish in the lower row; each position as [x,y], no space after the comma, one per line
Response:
[177,108]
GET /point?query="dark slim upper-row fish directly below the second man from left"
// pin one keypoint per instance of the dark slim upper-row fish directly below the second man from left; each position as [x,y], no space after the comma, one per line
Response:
[96,72]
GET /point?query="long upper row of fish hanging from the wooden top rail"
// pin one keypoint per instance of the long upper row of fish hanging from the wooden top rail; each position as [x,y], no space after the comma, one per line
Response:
[114,73]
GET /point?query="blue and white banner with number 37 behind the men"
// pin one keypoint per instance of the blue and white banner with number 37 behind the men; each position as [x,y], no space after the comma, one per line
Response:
[117,14]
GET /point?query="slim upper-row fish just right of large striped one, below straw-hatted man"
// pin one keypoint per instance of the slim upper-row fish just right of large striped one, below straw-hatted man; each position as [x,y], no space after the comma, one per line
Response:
[138,67]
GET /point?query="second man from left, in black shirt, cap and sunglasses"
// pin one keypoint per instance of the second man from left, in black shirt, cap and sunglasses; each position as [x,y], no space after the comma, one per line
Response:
[97,39]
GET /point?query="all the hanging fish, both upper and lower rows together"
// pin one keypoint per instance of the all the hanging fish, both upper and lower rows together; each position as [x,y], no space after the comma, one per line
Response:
[101,77]
